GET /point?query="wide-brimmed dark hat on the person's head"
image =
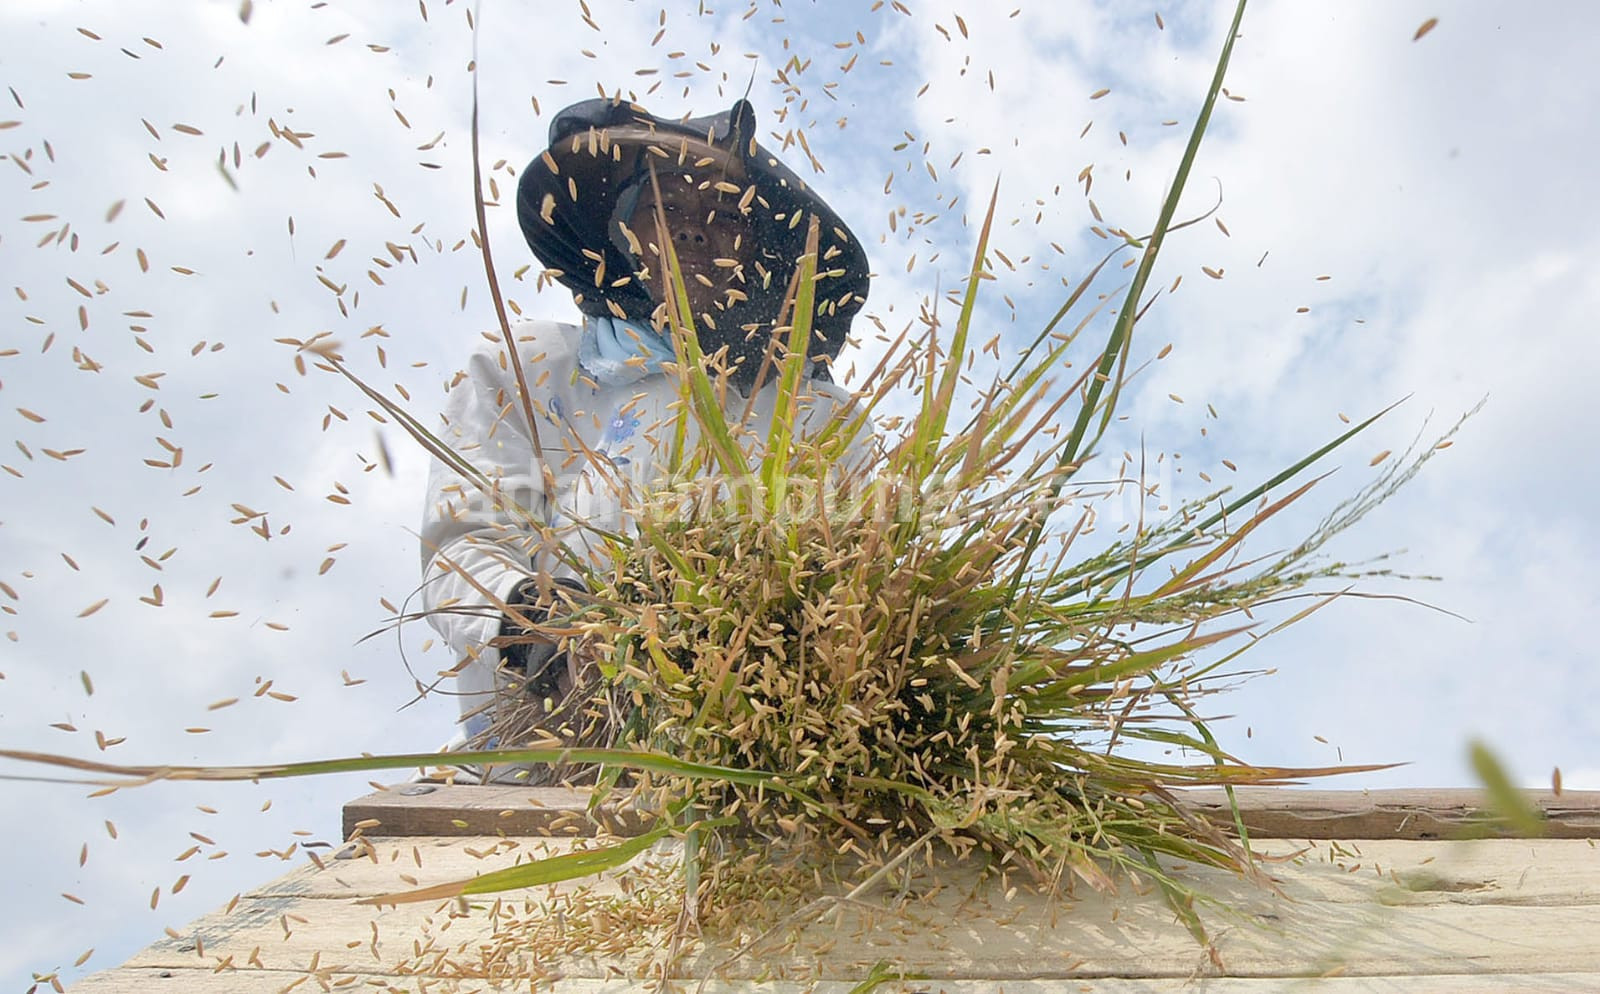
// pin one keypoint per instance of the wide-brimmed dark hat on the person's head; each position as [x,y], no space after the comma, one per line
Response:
[574,198]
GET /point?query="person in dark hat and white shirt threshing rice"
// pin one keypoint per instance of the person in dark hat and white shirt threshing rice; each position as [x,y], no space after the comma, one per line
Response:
[505,551]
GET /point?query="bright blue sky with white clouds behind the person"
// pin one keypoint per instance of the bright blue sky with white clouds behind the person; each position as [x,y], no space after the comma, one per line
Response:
[188,521]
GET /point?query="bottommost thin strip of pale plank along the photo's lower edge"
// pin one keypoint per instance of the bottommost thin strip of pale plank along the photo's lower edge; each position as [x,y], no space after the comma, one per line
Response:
[276,982]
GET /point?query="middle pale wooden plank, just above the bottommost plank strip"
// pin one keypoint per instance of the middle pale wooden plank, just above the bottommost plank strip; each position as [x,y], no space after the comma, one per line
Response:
[940,942]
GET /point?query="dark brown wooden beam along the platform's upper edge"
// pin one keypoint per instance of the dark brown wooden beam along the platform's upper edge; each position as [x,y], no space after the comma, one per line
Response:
[1268,812]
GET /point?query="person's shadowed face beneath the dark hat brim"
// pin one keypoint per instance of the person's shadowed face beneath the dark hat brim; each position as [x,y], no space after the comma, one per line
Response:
[710,236]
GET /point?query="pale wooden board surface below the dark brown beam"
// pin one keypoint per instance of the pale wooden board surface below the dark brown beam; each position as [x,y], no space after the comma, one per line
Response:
[1396,910]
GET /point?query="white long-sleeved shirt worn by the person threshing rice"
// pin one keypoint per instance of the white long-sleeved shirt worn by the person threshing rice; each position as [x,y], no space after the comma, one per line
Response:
[599,443]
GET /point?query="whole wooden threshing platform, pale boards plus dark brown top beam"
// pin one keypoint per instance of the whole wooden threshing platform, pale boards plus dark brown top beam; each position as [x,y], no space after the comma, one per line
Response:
[1380,891]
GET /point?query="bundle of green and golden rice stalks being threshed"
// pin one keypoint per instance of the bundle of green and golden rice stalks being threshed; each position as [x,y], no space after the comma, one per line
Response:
[906,647]
